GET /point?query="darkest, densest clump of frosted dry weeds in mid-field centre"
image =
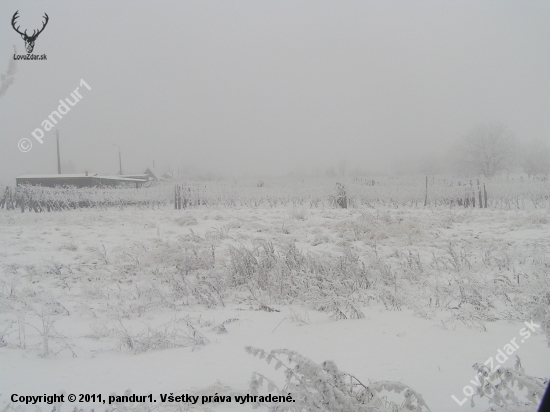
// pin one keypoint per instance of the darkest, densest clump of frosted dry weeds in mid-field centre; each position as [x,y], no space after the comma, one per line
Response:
[333,284]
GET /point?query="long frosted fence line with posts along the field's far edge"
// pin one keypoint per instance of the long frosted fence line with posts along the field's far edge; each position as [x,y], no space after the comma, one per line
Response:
[407,192]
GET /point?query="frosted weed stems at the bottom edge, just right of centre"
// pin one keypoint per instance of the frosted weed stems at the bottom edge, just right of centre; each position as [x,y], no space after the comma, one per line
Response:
[323,387]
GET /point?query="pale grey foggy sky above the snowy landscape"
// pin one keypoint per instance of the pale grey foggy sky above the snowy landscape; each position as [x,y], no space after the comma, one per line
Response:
[270,86]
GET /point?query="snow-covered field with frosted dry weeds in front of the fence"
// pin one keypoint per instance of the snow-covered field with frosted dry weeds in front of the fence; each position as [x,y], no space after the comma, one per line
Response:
[165,301]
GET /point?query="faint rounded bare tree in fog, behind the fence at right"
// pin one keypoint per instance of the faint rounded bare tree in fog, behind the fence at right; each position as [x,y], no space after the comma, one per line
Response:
[488,149]
